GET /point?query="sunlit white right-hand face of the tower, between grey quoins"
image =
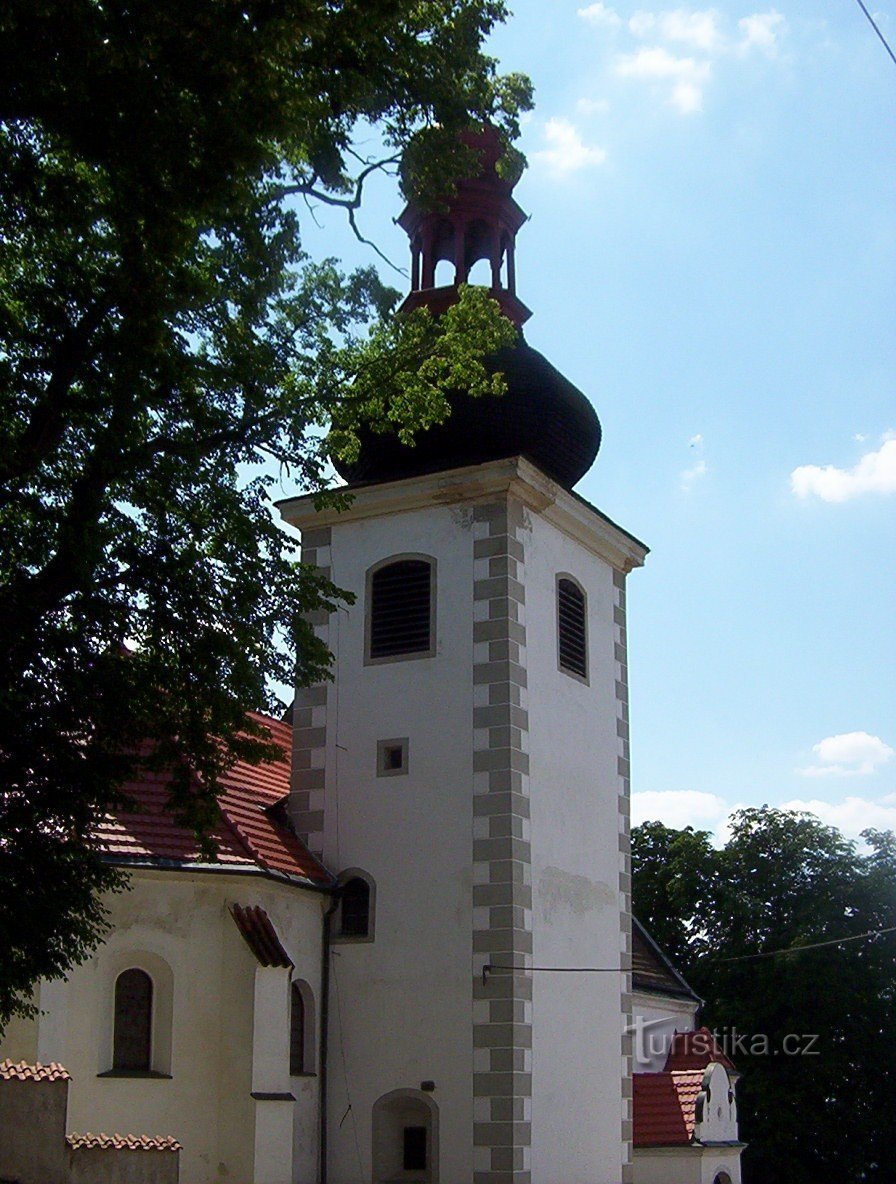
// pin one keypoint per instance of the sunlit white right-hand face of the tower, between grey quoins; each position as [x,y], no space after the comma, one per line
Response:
[577,1019]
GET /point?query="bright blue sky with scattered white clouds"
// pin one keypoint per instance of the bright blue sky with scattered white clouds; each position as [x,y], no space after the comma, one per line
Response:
[712,259]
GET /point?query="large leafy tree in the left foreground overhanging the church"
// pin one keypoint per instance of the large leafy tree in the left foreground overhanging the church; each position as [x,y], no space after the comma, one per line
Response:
[166,350]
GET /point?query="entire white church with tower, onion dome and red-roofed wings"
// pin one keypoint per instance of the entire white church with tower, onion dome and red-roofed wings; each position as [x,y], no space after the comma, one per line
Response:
[412,960]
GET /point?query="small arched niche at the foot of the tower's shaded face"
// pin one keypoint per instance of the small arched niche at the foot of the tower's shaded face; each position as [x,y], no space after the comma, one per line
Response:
[405,1138]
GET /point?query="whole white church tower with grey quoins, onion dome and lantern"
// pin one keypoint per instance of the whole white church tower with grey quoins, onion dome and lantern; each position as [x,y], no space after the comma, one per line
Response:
[467,773]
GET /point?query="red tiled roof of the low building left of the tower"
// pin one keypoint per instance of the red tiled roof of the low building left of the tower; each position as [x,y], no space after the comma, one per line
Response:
[248,835]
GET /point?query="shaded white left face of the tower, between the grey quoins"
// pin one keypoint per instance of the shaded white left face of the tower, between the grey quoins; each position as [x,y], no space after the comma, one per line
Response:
[401,1011]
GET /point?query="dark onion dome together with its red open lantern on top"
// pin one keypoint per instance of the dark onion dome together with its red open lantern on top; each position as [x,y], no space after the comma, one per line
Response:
[543,416]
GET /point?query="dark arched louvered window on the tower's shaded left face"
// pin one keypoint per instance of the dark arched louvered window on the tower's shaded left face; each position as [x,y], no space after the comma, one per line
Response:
[401,610]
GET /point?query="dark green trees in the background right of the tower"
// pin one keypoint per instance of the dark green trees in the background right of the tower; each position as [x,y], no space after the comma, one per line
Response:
[820,1079]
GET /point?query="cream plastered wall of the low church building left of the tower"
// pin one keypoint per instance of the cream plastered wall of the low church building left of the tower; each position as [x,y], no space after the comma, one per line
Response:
[182,923]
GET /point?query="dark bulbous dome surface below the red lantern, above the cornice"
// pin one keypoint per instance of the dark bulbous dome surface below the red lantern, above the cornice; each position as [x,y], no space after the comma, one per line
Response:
[543,417]
